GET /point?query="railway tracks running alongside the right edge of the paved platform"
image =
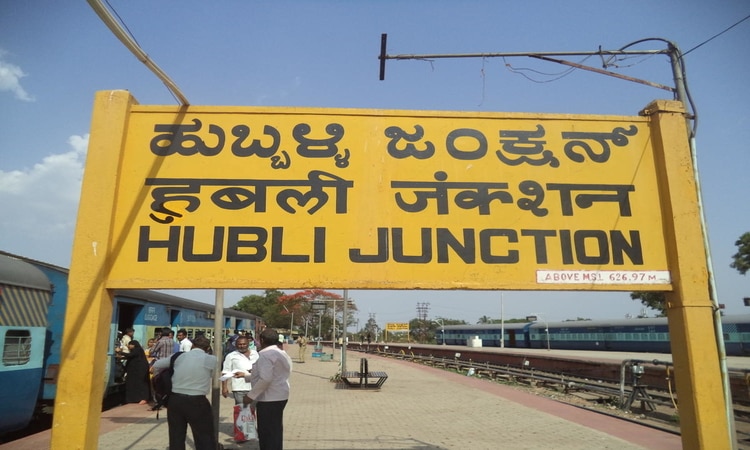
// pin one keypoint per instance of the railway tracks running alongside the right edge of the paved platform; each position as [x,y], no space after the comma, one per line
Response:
[617,390]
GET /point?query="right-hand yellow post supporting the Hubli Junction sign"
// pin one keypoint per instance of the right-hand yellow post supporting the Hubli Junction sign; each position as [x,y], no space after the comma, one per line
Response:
[703,421]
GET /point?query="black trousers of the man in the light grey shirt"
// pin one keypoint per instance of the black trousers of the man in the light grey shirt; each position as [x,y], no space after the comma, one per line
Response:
[193,410]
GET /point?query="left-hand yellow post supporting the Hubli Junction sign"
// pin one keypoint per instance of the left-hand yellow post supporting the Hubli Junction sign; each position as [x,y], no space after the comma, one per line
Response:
[88,314]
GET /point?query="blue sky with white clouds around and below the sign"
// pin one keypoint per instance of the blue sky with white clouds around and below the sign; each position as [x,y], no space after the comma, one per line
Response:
[55,55]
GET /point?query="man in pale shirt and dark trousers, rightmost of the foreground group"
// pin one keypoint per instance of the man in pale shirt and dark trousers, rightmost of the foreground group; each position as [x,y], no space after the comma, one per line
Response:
[270,390]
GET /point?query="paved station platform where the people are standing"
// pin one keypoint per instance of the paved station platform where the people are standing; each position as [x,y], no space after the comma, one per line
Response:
[420,408]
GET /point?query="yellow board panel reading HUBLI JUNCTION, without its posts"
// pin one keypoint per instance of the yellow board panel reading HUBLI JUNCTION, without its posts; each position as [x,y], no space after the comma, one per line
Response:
[227,197]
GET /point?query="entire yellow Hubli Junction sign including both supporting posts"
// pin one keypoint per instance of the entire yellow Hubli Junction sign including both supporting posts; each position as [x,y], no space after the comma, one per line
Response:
[169,202]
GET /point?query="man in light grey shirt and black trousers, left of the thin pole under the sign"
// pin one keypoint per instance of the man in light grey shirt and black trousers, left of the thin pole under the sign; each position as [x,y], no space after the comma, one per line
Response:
[188,405]
